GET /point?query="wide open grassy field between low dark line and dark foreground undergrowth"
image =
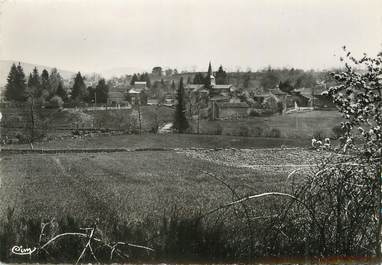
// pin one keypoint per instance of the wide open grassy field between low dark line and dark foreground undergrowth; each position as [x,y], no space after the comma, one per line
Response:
[133,186]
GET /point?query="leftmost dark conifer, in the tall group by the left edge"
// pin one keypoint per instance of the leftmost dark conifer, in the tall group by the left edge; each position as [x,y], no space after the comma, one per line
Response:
[16,85]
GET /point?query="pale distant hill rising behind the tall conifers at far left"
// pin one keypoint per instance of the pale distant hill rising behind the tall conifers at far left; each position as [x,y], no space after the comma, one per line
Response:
[5,66]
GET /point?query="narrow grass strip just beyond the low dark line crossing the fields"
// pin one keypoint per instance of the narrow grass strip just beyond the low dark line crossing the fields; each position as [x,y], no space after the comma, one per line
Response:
[169,141]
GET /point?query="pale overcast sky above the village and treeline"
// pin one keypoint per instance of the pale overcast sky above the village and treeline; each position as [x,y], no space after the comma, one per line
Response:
[94,35]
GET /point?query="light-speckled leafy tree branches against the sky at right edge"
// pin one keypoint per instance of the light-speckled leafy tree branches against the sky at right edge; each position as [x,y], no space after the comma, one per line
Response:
[359,97]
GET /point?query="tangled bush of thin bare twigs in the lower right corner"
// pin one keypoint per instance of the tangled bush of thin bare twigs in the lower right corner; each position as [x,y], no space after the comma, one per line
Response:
[341,196]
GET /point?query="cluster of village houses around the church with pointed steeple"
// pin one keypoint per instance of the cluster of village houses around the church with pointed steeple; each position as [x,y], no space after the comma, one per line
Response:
[219,100]
